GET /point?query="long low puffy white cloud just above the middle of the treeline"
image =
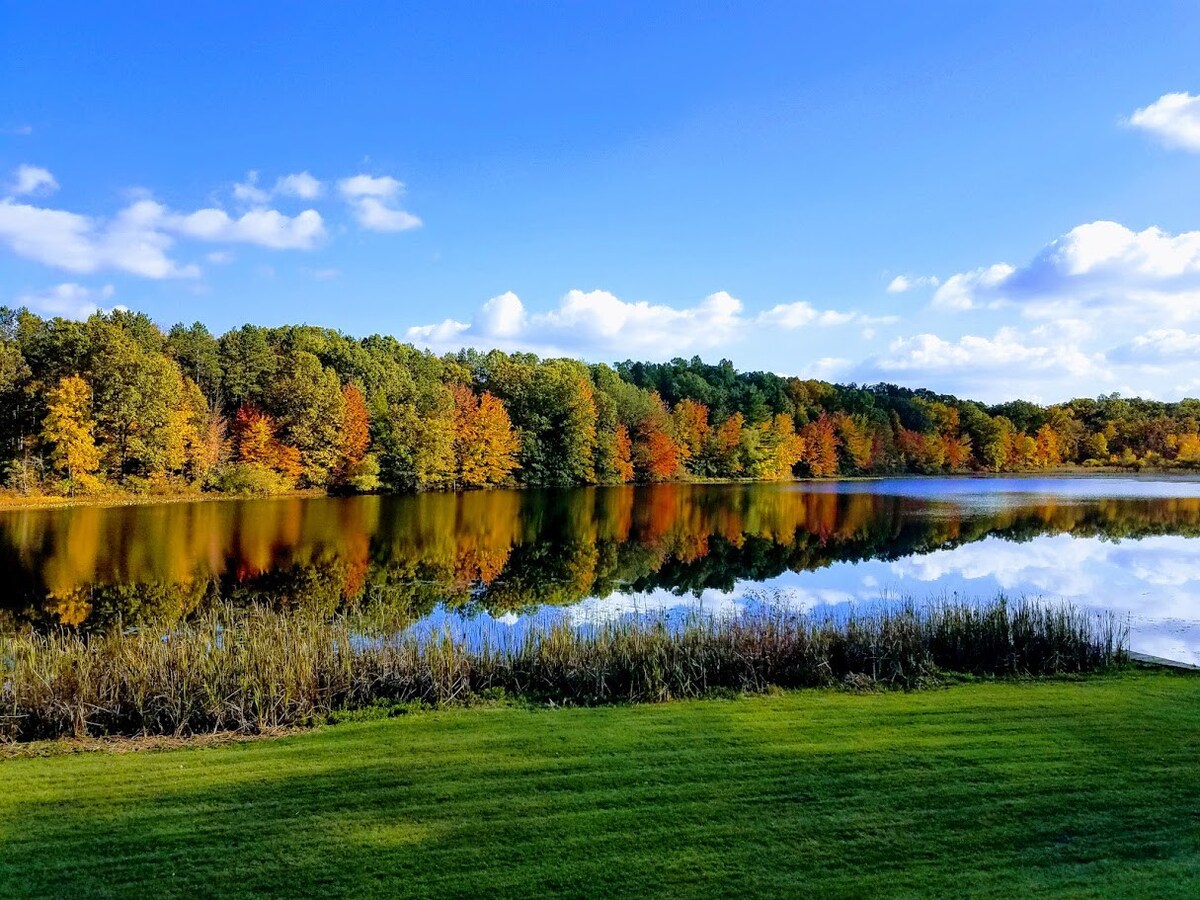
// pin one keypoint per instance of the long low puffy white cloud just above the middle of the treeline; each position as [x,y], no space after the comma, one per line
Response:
[598,322]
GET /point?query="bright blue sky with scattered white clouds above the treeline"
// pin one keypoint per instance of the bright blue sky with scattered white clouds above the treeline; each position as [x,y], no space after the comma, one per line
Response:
[629,181]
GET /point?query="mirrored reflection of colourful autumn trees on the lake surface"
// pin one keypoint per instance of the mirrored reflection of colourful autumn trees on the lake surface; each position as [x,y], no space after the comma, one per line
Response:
[501,551]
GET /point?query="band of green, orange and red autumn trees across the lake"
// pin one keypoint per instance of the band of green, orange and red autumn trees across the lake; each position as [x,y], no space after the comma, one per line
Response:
[113,405]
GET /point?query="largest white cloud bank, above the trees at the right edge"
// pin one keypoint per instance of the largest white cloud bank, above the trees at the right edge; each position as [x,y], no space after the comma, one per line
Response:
[1105,308]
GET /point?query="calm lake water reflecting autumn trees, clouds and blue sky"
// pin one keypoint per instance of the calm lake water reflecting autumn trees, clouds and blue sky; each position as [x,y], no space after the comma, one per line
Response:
[1127,545]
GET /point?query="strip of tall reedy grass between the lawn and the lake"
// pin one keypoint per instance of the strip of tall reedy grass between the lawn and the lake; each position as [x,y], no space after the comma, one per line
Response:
[256,670]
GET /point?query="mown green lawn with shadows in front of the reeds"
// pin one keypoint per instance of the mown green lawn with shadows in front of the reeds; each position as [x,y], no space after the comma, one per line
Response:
[1011,790]
